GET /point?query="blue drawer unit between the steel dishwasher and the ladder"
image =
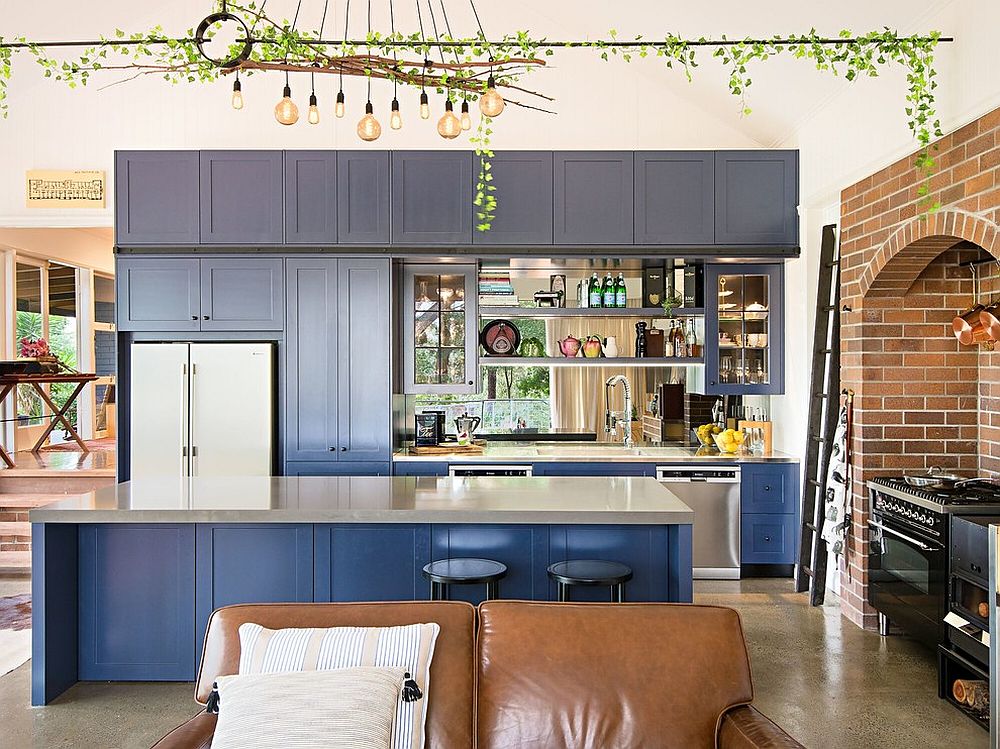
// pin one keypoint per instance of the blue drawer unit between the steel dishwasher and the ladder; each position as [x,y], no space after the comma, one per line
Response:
[769,513]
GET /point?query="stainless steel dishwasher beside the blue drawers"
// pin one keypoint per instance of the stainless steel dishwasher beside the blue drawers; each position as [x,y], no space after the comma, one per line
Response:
[714,495]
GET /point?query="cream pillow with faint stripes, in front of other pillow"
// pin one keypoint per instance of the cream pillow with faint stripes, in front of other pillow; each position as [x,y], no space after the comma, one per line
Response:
[345,709]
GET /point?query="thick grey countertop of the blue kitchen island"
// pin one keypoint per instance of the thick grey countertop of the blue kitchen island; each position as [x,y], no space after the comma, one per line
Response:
[317,499]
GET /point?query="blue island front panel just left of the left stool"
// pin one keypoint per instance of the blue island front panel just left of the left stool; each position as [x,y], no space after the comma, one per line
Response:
[378,562]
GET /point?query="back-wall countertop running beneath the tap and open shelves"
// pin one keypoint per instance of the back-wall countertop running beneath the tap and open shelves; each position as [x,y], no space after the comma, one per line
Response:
[575,452]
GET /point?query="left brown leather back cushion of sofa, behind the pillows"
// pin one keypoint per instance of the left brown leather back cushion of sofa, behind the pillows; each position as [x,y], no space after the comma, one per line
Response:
[451,697]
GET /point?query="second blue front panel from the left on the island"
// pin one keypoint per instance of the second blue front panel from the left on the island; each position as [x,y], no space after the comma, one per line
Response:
[251,563]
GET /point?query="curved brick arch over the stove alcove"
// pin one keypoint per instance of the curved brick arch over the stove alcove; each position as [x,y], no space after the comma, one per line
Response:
[914,245]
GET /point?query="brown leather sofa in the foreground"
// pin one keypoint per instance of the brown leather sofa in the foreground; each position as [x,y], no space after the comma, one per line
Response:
[545,675]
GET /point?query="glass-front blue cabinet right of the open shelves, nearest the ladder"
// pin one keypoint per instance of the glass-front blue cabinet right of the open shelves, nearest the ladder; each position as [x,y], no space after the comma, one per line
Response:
[744,332]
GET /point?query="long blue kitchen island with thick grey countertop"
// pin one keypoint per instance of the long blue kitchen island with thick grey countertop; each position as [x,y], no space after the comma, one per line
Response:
[125,578]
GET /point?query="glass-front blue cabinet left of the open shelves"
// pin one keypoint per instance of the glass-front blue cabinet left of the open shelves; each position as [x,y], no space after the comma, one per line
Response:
[440,329]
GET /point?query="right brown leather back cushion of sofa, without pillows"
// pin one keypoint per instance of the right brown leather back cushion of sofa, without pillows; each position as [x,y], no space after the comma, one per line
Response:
[607,675]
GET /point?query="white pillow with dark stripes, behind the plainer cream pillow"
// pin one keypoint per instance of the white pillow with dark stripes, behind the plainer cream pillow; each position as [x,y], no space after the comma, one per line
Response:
[409,647]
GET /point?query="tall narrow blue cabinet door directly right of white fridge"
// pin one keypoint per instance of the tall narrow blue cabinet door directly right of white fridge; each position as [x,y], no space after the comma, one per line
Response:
[311,360]
